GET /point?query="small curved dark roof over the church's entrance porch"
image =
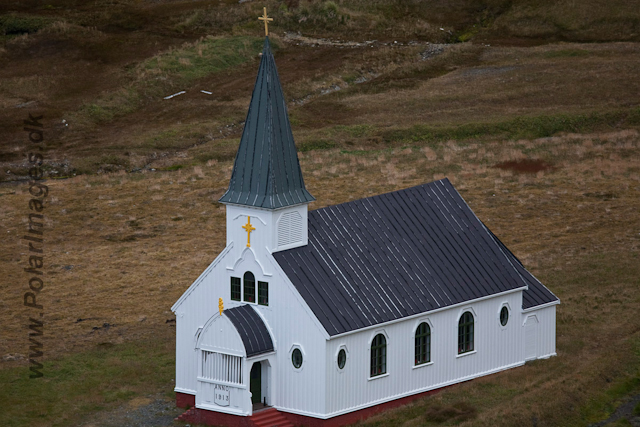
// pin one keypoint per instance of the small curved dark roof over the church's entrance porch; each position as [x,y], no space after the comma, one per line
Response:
[254,333]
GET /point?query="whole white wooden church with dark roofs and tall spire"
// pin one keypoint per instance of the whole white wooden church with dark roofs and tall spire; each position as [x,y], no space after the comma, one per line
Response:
[321,318]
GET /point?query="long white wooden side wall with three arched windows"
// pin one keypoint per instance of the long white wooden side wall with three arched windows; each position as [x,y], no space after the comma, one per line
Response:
[496,348]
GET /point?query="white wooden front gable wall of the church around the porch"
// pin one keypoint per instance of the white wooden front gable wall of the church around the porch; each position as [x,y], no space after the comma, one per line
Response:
[287,316]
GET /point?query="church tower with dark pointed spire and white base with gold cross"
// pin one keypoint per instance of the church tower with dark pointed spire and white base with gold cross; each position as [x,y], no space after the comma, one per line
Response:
[267,201]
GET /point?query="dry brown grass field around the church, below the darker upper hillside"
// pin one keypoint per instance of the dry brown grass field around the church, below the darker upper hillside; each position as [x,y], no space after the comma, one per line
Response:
[574,225]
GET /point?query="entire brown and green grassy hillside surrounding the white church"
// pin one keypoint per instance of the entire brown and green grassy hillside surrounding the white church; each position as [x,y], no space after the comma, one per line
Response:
[455,114]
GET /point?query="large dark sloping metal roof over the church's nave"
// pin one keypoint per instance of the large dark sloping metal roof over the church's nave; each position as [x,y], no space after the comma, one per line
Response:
[390,256]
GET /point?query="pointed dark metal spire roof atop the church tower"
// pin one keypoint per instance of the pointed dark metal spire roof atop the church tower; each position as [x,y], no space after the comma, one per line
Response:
[266,172]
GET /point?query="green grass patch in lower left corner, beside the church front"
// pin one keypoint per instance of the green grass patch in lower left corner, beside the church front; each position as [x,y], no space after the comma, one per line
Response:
[77,386]
